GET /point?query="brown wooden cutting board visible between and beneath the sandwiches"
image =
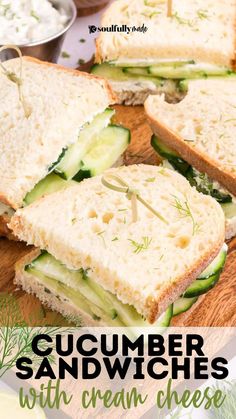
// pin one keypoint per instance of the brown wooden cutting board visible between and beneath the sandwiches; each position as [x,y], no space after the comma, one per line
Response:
[217,308]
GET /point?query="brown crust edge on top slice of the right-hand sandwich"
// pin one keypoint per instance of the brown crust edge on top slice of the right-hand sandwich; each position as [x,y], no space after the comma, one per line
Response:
[198,159]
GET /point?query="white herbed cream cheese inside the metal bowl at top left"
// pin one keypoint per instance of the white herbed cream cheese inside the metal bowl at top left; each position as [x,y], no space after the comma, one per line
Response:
[26,21]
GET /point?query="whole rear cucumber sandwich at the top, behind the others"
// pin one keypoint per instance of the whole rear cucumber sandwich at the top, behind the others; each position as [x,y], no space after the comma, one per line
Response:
[196,41]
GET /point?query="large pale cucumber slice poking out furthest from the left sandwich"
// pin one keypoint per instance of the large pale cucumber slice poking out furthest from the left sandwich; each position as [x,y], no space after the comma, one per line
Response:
[111,143]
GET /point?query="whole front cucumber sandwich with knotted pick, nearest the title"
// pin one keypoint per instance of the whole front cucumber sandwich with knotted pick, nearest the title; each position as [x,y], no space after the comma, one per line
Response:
[132,247]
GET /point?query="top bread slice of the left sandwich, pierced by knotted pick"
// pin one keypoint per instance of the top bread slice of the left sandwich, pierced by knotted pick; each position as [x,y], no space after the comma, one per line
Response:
[60,102]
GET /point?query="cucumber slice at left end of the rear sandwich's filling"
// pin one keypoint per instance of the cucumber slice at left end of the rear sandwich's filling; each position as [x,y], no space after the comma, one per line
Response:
[113,73]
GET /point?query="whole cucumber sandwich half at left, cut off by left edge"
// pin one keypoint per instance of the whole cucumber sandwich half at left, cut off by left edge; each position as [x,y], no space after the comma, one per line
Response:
[67,134]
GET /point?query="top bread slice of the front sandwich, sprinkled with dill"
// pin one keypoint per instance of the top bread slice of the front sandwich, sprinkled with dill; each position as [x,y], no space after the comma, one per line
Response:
[91,226]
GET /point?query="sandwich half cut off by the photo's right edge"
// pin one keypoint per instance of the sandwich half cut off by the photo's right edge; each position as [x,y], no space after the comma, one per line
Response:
[197,138]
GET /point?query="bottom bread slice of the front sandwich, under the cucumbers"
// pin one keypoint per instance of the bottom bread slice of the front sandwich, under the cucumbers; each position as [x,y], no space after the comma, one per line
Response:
[56,302]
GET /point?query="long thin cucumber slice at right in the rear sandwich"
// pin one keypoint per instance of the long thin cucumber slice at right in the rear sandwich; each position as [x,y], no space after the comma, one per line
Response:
[187,71]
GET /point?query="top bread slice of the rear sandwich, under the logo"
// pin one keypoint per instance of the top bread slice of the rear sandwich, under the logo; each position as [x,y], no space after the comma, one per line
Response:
[201,30]
